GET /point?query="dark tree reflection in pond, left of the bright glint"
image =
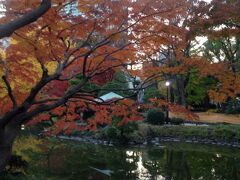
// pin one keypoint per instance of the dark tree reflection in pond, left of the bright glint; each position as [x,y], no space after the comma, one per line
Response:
[77,162]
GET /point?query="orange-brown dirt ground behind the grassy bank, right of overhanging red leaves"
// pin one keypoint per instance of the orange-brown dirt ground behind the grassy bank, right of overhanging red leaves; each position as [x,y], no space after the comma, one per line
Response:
[217,117]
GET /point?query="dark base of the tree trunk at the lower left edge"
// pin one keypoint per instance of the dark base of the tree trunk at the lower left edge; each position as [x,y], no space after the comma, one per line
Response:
[7,137]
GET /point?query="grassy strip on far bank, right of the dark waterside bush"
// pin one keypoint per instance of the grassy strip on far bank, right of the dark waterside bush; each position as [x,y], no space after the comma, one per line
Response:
[229,133]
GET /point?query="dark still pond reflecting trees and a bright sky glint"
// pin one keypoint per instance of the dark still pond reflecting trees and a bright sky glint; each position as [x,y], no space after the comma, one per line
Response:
[175,161]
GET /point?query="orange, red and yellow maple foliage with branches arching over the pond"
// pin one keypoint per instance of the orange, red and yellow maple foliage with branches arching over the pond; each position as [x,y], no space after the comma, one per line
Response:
[94,39]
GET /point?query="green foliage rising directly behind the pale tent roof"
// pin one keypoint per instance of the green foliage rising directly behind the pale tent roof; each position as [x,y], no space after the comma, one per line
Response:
[118,85]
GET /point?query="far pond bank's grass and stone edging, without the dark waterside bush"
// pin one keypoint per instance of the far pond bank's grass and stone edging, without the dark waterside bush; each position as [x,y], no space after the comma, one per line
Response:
[220,135]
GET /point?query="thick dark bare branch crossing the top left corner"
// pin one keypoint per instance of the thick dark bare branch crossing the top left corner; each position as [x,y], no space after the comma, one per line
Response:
[8,29]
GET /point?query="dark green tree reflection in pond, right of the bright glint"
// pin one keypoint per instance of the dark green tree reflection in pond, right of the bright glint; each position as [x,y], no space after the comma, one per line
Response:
[185,165]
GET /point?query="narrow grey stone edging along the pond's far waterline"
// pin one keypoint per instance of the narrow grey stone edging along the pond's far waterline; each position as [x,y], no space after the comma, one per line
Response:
[155,141]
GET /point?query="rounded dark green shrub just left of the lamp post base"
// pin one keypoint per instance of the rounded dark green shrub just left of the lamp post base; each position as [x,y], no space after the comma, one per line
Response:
[156,117]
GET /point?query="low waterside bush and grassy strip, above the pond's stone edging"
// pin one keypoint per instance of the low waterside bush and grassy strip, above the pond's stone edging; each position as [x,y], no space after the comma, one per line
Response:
[145,132]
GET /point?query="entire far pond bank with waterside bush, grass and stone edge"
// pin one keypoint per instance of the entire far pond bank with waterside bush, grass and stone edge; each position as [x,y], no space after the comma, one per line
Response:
[138,133]
